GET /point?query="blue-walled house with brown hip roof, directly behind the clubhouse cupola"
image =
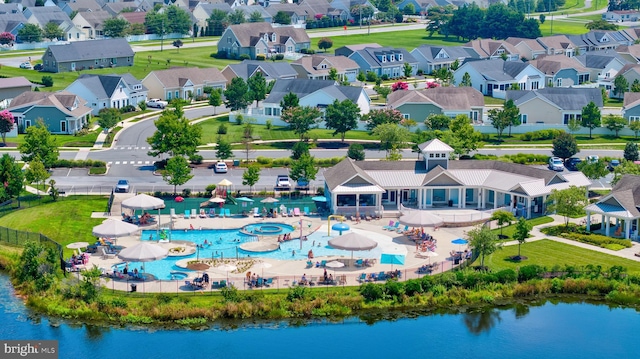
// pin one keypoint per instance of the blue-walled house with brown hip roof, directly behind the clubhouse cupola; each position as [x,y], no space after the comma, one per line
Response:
[448,101]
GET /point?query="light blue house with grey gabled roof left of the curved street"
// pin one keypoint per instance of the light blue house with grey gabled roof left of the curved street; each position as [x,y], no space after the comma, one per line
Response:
[108,91]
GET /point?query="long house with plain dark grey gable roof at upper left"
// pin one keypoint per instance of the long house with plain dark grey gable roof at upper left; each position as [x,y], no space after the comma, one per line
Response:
[88,55]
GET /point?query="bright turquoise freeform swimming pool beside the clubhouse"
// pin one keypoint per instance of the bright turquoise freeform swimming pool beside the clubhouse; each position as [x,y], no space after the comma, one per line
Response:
[225,243]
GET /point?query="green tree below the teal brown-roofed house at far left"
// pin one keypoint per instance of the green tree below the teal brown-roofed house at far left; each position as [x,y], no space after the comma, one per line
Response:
[38,143]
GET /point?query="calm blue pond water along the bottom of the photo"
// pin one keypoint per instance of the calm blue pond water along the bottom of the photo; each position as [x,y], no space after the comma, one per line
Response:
[549,330]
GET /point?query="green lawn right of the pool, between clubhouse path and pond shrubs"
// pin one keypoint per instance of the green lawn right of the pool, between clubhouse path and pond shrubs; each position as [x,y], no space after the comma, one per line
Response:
[548,253]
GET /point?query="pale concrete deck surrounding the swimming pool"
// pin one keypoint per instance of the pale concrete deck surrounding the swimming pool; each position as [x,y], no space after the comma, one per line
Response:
[289,271]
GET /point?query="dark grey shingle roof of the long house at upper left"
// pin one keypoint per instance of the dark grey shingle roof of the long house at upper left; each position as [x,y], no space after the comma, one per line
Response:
[92,49]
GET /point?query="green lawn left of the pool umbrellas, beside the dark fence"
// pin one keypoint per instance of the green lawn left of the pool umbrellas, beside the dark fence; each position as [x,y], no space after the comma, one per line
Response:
[65,221]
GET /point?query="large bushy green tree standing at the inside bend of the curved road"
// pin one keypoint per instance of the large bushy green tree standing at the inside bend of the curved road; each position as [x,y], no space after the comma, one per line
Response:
[174,136]
